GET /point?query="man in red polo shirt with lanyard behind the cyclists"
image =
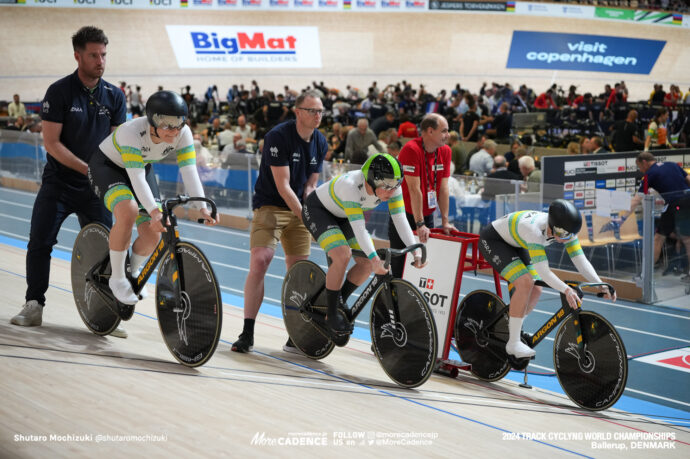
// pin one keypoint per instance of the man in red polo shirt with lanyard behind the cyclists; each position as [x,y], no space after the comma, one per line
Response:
[426,163]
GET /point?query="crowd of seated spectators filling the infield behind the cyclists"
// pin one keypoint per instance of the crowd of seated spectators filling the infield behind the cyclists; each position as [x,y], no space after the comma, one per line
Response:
[382,119]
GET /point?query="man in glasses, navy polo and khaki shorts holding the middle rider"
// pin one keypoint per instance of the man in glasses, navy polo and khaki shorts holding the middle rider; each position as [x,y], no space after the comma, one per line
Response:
[291,160]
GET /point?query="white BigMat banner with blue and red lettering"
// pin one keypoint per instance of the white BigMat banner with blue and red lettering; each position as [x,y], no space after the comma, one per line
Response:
[245,47]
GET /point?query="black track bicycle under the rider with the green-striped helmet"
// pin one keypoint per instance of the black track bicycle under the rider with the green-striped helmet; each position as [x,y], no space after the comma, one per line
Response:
[403,331]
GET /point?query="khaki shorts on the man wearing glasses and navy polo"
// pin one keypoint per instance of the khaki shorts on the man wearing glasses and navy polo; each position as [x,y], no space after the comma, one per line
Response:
[272,224]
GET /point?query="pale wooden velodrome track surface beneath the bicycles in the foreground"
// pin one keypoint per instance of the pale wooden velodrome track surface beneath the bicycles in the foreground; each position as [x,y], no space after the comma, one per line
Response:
[69,393]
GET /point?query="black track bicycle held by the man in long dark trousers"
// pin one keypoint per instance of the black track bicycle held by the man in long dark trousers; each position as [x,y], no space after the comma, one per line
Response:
[188,301]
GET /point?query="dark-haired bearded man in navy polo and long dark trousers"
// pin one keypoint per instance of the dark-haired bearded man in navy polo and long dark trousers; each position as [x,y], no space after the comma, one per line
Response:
[78,112]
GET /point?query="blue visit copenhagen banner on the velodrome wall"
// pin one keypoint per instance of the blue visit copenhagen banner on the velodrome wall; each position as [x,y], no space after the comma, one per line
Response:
[593,53]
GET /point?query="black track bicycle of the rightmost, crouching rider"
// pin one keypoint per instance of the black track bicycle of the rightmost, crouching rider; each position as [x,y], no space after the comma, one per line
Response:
[589,356]
